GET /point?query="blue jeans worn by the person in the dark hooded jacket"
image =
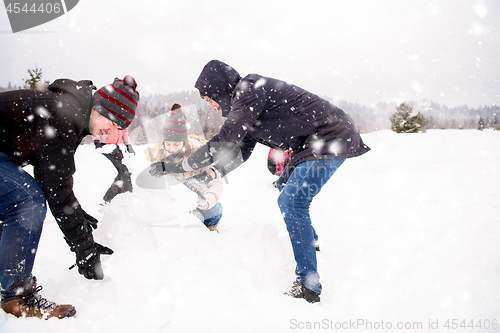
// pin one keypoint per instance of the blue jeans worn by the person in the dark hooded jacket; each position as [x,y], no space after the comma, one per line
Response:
[294,201]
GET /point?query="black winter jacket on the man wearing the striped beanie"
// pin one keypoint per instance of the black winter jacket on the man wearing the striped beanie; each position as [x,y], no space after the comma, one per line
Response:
[43,129]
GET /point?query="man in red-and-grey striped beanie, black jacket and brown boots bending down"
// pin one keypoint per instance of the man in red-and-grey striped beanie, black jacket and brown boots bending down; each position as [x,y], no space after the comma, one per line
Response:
[44,129]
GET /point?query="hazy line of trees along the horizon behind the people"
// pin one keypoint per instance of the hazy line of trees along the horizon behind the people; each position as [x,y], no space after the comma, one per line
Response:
[370,118]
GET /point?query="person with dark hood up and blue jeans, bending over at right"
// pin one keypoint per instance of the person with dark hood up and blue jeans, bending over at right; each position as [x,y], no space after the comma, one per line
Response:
[283,116]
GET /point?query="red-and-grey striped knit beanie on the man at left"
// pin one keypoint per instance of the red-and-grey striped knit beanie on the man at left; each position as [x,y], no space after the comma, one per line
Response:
[118,101]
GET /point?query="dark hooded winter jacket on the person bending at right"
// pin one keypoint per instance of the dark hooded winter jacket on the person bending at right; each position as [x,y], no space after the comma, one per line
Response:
[276,114]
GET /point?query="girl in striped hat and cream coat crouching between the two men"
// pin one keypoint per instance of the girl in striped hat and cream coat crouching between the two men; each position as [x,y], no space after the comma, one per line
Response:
[206,182]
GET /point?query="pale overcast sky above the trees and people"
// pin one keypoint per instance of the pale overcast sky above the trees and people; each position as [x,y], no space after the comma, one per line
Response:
[364,51]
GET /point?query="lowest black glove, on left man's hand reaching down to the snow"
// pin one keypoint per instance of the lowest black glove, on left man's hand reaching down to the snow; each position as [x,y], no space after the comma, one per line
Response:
[89,262]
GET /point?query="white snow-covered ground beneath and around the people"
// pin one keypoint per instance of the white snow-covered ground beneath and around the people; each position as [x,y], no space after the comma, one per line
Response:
[409,238]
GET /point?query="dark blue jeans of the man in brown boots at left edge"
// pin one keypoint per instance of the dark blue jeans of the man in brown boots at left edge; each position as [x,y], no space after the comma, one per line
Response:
[22,212]
